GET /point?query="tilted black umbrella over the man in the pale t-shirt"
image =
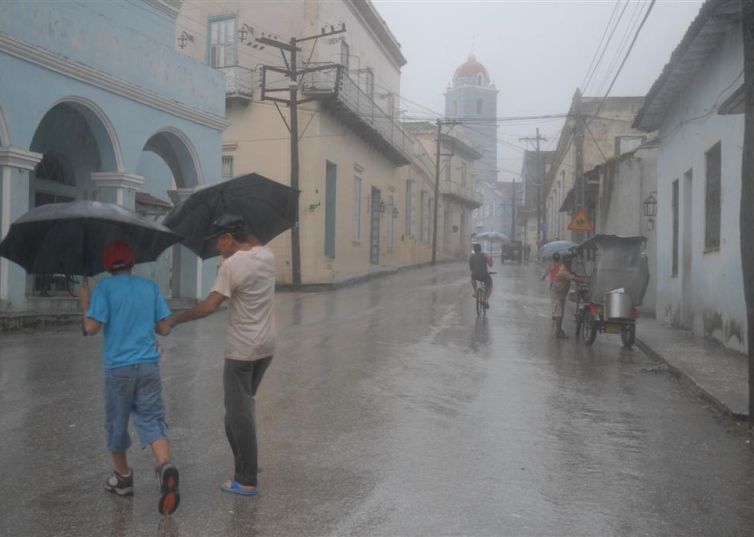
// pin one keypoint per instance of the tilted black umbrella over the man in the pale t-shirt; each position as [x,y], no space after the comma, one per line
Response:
[269,208]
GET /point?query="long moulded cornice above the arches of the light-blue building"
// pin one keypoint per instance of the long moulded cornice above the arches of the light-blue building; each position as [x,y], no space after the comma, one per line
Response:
[94,77]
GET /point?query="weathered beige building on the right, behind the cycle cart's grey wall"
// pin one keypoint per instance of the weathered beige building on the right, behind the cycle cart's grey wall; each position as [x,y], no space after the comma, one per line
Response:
[595,130]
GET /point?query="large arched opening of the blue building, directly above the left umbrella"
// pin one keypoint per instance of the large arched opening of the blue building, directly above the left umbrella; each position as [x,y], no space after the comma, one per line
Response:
[75,139]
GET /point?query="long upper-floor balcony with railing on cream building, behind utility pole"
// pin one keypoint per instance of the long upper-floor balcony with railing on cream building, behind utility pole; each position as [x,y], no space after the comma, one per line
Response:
[352,105]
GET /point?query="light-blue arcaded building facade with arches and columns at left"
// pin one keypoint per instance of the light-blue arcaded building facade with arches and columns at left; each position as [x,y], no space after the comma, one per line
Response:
[96,103]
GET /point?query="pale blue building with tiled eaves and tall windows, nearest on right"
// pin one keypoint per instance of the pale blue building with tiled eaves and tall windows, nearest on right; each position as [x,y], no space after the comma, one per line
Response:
[696,104]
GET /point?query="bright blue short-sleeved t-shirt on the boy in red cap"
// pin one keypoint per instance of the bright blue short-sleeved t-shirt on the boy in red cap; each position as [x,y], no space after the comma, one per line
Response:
[128,307]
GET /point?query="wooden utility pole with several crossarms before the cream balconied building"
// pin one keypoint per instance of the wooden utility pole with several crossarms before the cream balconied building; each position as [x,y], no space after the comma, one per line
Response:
[295,77]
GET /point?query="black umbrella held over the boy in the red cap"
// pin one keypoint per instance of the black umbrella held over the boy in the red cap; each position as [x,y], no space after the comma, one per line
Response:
[69,238]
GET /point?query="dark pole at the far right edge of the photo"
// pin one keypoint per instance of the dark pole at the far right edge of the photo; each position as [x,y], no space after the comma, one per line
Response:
[746,216]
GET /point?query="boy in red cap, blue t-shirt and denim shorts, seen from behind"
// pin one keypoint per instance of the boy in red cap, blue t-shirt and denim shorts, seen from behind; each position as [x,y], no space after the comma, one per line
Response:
[131,309]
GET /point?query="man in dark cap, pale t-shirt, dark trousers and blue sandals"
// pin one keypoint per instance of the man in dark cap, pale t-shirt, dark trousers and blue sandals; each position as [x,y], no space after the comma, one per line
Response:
[247,279]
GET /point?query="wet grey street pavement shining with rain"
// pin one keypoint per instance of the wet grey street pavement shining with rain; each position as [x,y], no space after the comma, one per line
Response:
[388,410]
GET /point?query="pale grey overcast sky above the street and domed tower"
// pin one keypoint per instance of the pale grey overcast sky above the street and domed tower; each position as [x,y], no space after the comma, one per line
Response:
[537,52]
